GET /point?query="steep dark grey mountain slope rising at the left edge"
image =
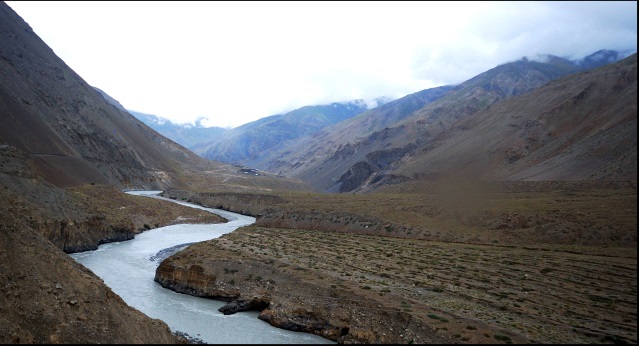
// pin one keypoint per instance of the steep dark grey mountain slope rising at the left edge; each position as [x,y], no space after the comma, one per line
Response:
[66,126]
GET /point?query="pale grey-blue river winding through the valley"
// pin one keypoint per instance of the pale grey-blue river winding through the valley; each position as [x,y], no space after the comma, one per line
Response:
[128,268]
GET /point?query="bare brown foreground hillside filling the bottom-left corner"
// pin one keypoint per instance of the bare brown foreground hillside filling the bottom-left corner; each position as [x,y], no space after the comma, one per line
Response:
[46,297]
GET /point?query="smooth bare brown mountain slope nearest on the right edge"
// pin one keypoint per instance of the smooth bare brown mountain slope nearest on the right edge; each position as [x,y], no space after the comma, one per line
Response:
[579,127]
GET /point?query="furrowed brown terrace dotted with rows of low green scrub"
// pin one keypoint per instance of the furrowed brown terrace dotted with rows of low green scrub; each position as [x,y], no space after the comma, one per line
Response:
[461,292]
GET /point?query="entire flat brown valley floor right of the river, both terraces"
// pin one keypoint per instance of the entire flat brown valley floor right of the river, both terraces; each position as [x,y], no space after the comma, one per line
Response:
[540,263]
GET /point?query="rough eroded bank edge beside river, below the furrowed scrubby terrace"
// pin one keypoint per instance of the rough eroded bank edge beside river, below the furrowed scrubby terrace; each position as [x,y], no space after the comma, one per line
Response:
[289,298]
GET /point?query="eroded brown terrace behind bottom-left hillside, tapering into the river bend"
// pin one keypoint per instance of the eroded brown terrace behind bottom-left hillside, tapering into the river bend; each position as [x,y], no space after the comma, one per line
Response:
[81,218]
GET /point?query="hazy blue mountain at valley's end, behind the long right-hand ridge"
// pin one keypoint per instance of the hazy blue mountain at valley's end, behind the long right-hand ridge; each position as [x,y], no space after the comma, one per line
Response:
[250,143]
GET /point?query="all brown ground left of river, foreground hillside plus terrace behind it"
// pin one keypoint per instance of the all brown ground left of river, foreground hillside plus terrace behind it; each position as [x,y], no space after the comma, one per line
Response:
[45,296]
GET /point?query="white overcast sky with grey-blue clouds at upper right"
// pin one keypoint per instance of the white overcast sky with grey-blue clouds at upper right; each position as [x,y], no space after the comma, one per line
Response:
[231,63]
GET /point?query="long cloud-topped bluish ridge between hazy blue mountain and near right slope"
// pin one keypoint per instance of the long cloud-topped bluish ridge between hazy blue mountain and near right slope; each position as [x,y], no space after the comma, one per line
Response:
[345,158]
